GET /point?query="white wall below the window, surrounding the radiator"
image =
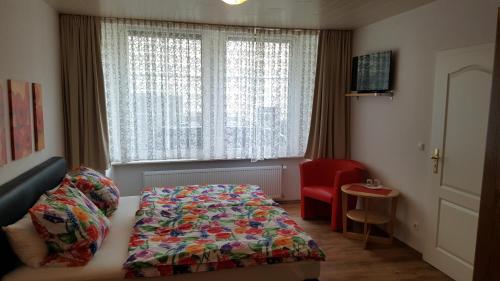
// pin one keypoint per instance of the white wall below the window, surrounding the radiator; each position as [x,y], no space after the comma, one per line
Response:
[129,177]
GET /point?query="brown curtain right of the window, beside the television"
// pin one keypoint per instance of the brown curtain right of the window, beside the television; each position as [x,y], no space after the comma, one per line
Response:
[329,133]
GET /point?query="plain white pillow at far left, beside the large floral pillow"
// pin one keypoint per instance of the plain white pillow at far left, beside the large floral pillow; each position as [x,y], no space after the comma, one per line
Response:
[29,247]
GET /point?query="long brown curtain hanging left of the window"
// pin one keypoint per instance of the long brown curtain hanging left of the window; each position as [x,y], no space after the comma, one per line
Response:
[85,124]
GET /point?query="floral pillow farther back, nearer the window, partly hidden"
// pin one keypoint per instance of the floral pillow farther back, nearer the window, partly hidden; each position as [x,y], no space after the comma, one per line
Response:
[99,189]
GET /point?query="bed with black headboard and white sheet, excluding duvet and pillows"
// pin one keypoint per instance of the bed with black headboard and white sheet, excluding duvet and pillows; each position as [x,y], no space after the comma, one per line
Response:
[17,196]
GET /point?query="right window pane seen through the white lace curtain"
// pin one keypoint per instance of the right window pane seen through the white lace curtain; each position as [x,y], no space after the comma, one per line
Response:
[256,100]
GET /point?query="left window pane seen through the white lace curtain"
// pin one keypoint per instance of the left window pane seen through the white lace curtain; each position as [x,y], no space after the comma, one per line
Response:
[165,73]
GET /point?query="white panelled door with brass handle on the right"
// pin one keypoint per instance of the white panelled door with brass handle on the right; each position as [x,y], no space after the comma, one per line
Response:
[460,119]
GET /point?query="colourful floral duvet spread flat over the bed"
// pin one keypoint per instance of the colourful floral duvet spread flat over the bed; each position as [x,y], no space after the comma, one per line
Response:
[210,227]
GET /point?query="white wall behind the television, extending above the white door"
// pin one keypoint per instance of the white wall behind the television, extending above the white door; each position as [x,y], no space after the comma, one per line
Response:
[385,132]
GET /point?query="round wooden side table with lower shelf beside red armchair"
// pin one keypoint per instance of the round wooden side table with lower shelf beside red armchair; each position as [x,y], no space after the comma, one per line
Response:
[366,216]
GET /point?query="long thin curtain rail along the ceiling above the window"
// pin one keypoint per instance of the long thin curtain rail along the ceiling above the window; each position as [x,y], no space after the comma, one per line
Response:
[208,24]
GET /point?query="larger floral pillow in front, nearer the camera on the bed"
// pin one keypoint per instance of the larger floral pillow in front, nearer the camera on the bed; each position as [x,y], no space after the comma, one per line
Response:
[71,225]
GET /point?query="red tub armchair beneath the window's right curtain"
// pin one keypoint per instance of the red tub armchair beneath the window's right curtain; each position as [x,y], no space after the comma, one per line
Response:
[320,180]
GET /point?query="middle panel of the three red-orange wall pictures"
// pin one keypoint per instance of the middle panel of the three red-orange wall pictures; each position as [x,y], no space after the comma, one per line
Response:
[20,119]
